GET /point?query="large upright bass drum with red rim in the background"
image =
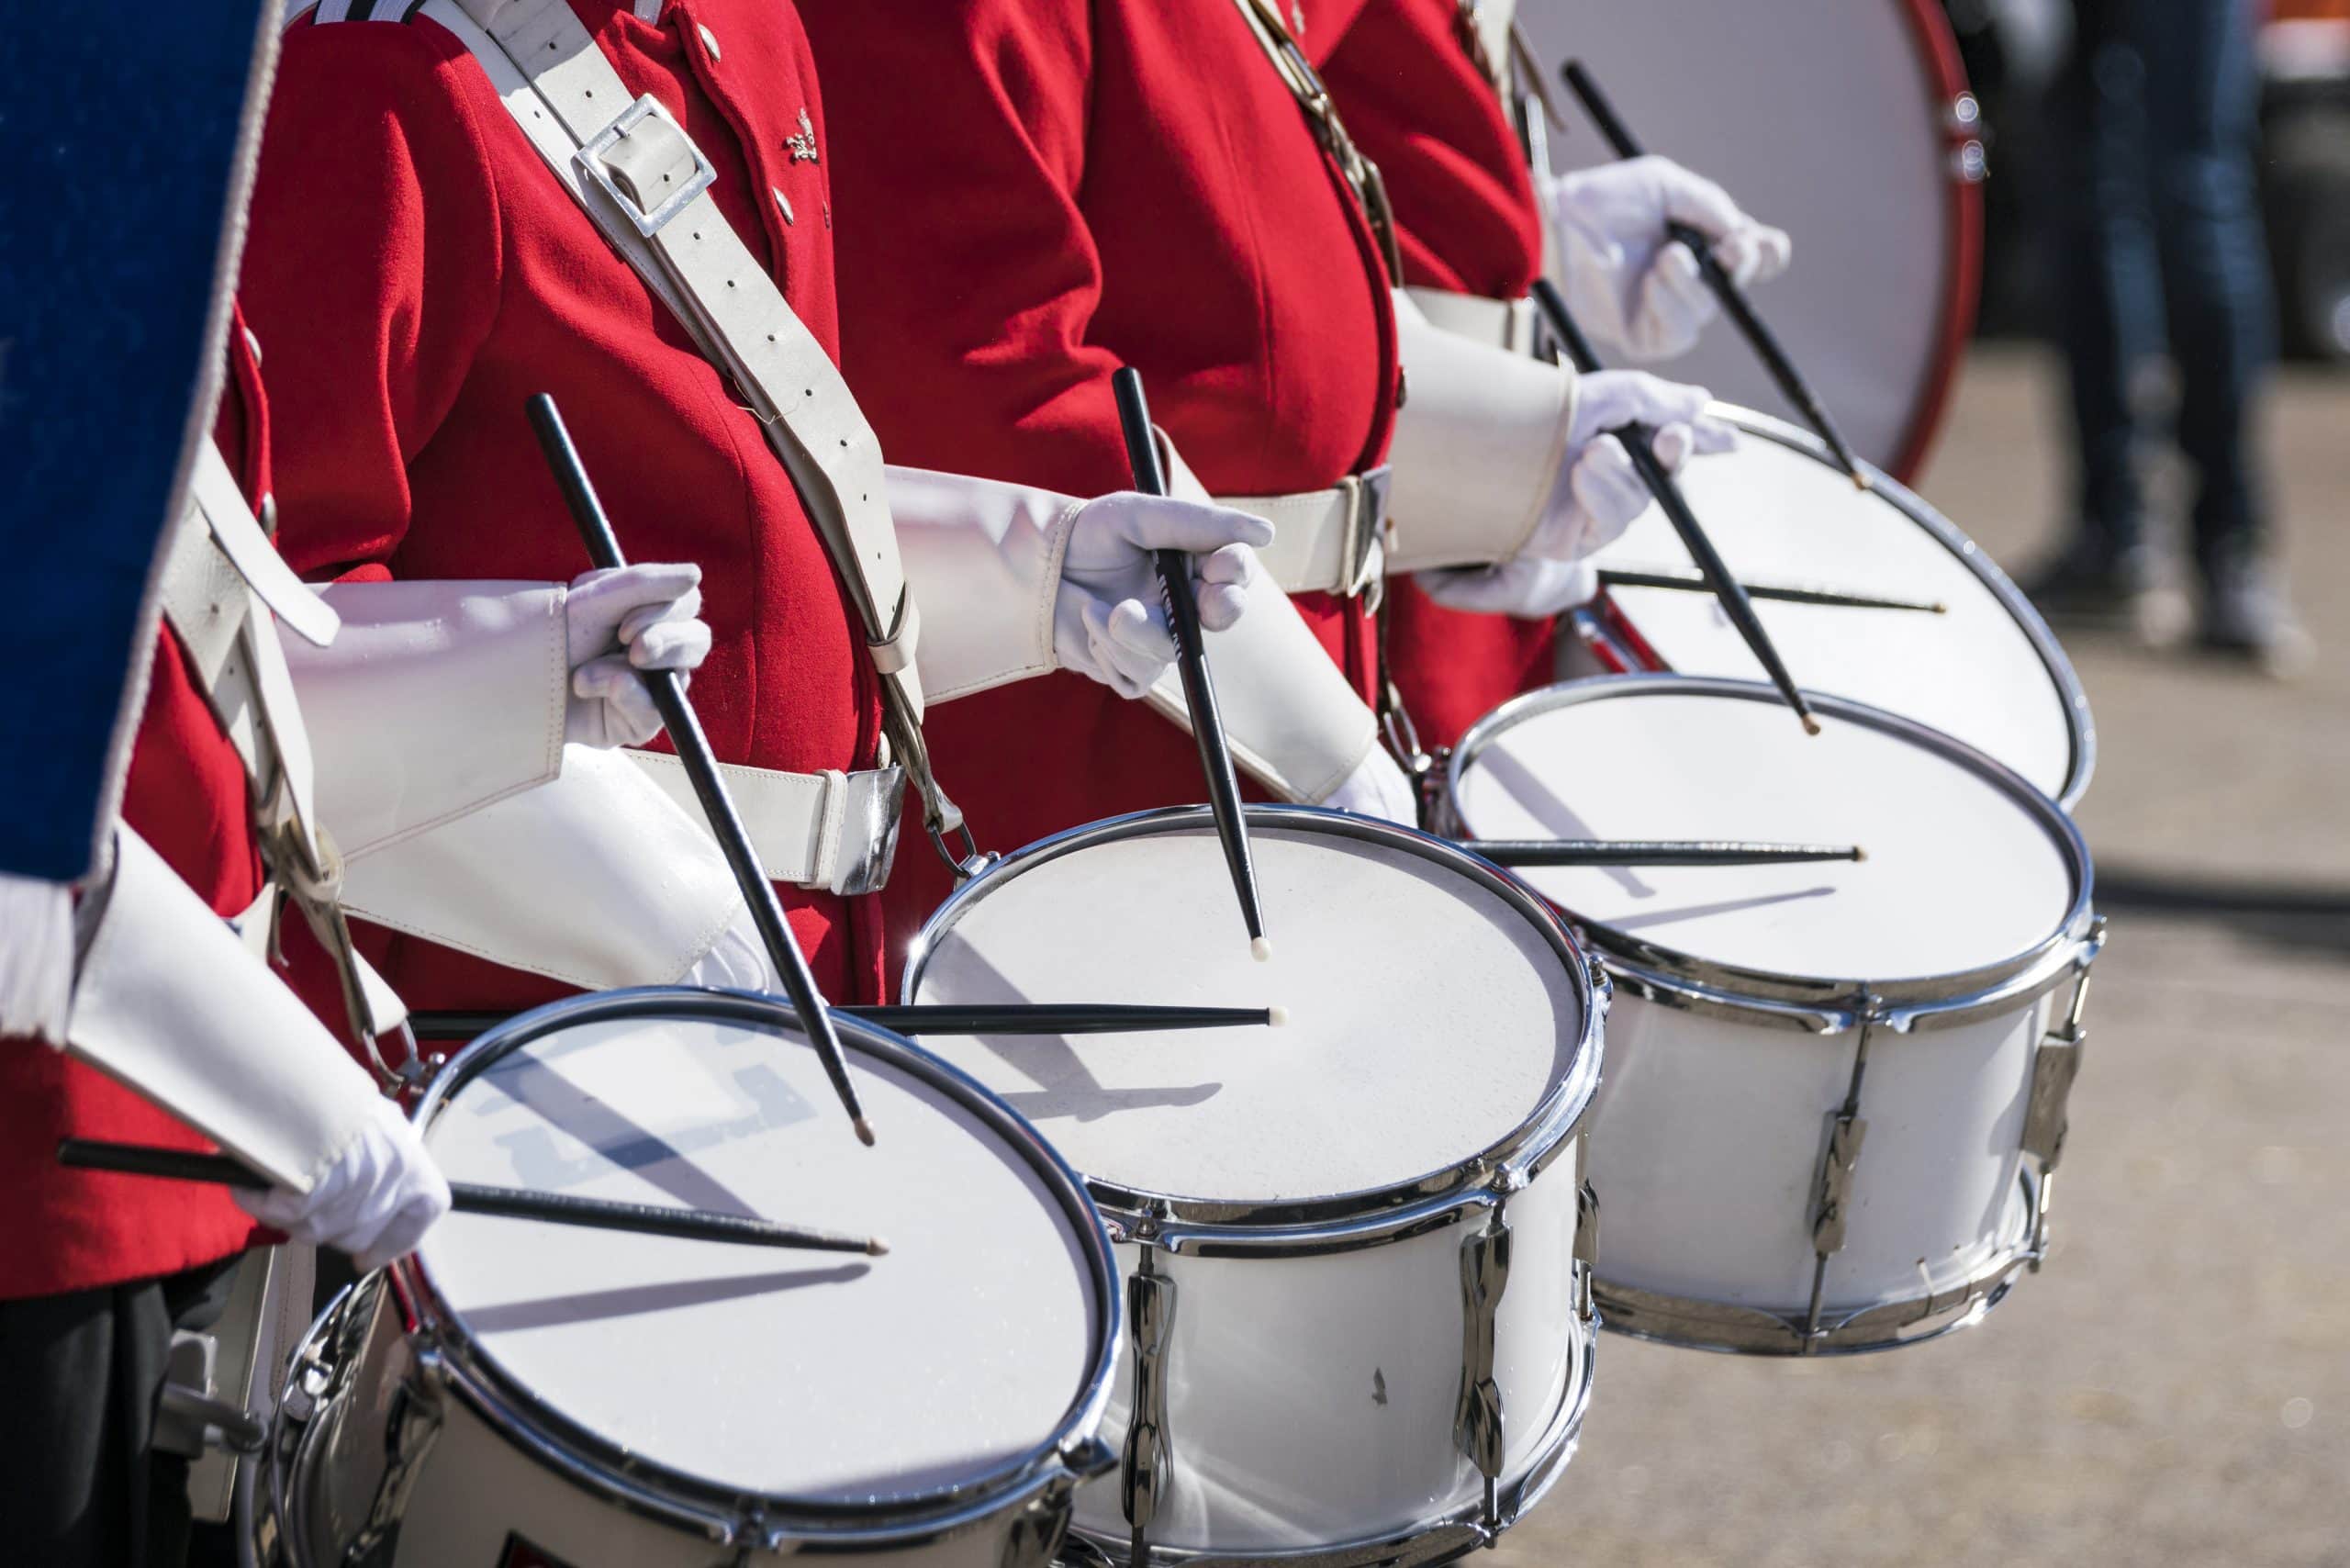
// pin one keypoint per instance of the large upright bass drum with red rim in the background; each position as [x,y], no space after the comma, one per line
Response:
[1827,121]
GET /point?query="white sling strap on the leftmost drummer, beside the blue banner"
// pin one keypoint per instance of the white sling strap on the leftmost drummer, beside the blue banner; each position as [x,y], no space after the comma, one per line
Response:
[224,591]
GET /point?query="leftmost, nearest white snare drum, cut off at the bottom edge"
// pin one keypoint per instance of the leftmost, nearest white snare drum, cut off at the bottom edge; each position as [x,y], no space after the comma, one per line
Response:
[537,1395]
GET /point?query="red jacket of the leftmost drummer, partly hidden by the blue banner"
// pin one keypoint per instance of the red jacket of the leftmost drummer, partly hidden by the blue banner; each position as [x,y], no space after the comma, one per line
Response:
[79,1231]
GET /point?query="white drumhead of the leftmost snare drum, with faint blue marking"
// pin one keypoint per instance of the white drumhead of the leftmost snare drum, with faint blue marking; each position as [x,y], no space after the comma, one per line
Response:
[819,1376]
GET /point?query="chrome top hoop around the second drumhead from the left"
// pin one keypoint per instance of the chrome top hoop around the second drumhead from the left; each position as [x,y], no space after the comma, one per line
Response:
[1343,1221]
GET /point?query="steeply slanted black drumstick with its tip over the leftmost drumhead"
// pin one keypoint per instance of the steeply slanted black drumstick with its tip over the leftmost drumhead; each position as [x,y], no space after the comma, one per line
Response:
[669,692]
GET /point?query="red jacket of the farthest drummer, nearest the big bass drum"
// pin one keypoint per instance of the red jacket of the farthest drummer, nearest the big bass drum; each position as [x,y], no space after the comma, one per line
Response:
[1468,217]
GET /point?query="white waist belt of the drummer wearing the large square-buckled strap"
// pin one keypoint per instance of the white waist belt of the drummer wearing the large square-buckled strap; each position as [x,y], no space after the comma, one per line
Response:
[819,831]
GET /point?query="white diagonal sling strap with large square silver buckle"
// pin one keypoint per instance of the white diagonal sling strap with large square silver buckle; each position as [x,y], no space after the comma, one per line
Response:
[647,189]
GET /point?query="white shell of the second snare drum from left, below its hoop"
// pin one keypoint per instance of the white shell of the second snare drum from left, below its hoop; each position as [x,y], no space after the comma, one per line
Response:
[1312,1400]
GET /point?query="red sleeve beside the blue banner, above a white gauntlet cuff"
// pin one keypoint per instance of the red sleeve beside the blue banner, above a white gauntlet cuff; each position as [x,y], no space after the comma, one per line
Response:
[370,276]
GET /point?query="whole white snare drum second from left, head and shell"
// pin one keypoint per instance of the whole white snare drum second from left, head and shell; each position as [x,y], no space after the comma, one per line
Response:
[1357,1304]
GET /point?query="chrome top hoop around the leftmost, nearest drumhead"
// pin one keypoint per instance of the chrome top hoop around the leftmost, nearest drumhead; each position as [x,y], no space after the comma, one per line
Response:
[640,1485]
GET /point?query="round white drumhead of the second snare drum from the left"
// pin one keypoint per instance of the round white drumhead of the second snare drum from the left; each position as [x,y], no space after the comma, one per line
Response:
[1428,1017]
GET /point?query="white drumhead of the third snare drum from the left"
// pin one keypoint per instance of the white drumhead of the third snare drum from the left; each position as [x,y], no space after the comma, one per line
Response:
[1961,876]
